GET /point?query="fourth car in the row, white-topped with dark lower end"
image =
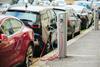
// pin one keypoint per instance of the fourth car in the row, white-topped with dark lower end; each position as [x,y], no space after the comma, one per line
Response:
[84,14]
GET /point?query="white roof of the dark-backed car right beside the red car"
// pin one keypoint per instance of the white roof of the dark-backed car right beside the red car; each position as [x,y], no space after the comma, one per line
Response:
[29,8]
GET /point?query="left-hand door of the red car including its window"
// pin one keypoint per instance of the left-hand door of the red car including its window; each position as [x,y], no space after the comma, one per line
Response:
[8,51]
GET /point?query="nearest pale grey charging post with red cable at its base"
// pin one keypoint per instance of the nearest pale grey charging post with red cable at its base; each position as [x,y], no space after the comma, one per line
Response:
[62,35]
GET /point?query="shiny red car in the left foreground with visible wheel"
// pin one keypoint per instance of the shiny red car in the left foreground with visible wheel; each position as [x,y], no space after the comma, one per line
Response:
[16,42]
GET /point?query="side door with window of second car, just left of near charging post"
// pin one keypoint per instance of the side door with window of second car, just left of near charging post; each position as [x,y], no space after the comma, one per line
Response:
[53,25]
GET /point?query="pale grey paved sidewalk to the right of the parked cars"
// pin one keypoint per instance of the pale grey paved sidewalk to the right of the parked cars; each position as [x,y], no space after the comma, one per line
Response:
[85,52]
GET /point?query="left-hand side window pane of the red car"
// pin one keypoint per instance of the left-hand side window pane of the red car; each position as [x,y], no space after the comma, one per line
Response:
[7,27]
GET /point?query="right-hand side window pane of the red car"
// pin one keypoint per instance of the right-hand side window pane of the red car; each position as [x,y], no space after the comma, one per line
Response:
[16,25]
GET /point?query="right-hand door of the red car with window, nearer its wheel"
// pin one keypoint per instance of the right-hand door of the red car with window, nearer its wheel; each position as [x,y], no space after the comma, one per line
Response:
[18,35]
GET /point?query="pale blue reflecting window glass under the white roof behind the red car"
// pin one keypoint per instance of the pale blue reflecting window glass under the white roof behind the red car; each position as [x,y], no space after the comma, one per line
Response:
[23,15]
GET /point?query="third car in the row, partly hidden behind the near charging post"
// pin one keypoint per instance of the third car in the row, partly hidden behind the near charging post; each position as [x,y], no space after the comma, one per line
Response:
[72,20]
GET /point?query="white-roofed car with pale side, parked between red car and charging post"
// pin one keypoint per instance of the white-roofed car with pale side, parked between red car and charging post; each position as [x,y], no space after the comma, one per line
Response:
[42,20]
